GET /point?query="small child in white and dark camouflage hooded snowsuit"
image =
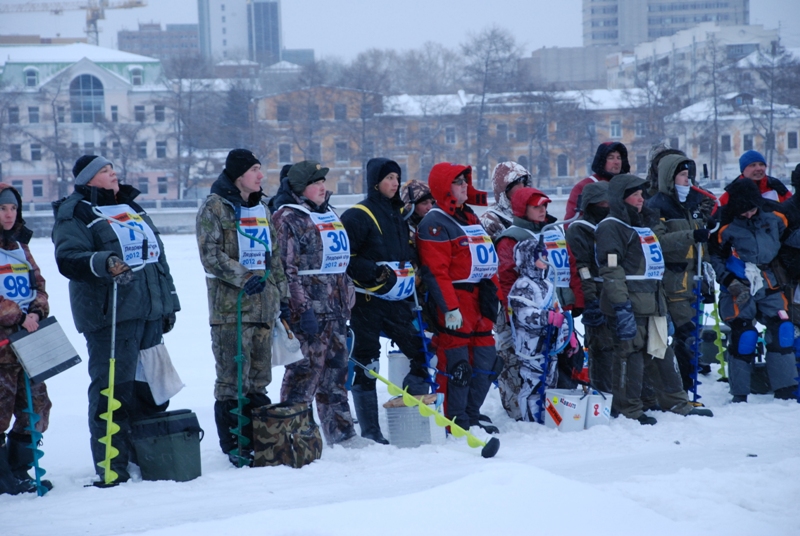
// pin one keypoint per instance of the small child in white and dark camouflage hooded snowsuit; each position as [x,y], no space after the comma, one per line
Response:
[534,306]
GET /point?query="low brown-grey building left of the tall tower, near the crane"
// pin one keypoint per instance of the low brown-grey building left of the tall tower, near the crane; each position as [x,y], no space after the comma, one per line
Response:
[177,40]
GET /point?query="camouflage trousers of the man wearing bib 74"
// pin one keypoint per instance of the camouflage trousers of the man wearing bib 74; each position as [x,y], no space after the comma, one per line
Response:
[256,362]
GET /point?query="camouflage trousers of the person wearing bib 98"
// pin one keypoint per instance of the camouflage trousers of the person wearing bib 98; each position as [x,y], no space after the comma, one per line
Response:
[14,400]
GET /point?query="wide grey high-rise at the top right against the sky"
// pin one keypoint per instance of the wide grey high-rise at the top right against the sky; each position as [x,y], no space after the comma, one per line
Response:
[627,23]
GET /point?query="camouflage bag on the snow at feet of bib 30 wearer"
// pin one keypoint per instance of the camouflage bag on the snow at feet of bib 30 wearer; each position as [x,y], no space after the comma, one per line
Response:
[285,434]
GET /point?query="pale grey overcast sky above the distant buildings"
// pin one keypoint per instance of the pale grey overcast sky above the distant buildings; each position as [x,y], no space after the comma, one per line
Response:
[345,28]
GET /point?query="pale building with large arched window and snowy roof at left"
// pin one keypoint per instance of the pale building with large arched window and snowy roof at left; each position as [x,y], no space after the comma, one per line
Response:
[60,101]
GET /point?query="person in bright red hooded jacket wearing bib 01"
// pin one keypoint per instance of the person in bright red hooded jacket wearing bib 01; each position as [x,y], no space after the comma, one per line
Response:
[462,260]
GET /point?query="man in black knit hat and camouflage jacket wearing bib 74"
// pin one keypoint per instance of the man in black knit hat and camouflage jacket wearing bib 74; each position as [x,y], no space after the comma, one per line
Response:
[233,263]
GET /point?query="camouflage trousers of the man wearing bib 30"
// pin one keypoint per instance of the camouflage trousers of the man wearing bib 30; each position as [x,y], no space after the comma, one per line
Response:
[321,376]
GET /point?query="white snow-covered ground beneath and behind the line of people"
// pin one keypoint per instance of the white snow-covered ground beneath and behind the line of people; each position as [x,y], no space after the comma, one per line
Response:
[735,474]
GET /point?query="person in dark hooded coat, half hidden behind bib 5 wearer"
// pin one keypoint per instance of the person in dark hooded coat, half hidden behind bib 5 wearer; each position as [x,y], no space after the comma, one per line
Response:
[580,236]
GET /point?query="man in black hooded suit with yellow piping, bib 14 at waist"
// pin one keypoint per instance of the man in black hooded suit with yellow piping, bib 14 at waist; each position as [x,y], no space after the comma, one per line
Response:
[382,269]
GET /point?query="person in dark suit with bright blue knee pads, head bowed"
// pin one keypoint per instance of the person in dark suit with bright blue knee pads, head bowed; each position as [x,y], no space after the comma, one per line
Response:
[742,253]
